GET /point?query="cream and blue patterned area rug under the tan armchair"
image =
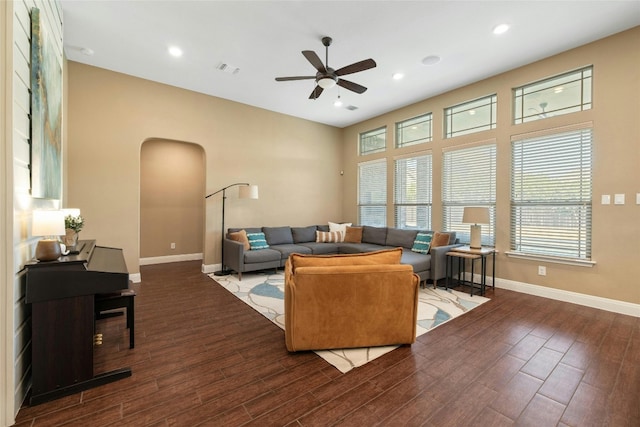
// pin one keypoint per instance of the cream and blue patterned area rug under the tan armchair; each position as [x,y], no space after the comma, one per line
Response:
[265,293]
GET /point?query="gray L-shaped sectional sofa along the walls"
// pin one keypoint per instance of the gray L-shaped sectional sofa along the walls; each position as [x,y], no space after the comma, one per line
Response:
[283,241]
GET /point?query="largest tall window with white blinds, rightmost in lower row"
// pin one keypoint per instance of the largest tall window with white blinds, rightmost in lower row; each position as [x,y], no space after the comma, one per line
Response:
[551,195]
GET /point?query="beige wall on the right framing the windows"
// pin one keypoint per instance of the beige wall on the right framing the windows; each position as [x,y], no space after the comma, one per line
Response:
[615,117]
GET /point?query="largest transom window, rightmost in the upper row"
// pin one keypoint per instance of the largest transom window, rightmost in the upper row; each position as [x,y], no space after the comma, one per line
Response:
[564,94]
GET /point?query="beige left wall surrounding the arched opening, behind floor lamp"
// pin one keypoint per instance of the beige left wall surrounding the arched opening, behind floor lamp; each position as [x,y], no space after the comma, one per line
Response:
[295,163]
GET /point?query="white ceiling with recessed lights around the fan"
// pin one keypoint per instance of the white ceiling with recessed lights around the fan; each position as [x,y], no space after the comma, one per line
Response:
[264,39]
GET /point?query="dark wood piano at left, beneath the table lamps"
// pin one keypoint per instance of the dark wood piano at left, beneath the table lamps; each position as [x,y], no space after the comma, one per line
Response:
[61,294]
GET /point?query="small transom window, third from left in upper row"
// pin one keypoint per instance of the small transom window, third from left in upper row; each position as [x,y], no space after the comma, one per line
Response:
[470,117]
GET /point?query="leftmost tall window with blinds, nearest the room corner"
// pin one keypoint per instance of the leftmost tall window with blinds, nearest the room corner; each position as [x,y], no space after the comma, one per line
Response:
[372,193]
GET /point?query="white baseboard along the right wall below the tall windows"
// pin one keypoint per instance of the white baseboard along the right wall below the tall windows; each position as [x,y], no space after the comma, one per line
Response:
[601,303]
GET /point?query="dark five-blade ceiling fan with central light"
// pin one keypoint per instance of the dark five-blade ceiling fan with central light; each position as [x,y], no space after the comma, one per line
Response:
[327,77]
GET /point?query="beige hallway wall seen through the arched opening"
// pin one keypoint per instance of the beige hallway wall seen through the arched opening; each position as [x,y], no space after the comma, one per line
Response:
[172,179]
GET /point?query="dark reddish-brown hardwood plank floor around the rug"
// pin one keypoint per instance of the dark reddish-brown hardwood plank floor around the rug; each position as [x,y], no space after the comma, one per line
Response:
[202,357]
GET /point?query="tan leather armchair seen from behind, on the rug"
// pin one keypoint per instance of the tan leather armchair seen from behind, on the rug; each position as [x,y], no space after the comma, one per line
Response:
[346,301]
